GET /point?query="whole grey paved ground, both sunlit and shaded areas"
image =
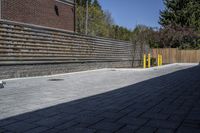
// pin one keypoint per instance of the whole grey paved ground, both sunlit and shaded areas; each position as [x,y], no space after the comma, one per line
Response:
[160,100]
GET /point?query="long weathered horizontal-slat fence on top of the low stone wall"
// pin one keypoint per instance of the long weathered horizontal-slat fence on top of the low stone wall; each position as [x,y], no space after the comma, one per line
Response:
[22,44]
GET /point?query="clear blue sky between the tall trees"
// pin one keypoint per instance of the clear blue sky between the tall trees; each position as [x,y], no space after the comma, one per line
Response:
[128,13]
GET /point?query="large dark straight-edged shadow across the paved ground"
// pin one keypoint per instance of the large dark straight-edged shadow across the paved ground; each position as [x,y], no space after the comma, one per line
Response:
[163,104]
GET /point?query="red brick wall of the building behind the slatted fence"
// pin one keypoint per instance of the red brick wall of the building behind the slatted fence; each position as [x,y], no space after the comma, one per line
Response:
[39,12]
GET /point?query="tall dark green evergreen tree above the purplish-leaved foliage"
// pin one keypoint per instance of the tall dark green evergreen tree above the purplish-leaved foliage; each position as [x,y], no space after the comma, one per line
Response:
[185,13]
